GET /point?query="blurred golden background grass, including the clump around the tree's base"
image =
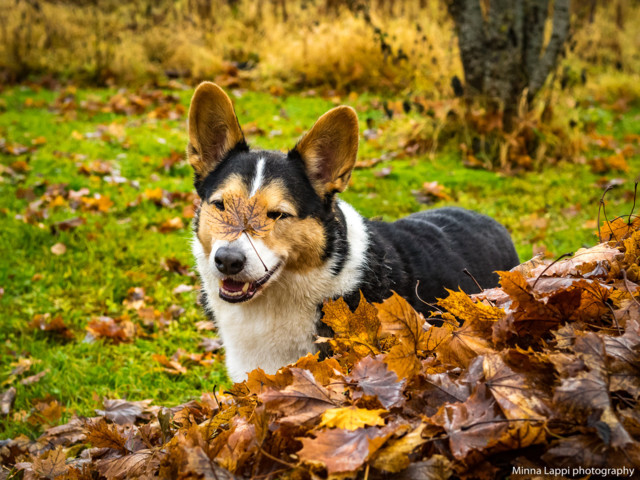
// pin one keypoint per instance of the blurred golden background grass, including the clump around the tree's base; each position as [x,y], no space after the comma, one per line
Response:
[405,48]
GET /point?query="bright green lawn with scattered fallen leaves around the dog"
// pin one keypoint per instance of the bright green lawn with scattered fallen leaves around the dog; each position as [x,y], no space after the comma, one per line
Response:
[122,248]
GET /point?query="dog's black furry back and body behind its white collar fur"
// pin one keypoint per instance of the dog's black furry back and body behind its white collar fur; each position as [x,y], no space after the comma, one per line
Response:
[423,254]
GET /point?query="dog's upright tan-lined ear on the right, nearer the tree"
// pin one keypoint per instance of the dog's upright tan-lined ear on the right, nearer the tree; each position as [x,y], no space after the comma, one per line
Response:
[329,150]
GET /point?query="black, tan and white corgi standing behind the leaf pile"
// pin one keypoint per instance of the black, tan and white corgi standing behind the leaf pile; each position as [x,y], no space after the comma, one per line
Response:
[265,292]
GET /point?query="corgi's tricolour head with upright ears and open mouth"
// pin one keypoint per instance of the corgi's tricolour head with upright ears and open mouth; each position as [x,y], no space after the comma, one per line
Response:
[264,213]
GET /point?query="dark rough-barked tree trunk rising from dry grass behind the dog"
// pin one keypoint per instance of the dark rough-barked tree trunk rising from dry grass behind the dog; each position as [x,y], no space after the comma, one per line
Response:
[502,48]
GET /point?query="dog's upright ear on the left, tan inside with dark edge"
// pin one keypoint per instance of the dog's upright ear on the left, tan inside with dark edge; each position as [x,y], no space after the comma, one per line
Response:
[213,128]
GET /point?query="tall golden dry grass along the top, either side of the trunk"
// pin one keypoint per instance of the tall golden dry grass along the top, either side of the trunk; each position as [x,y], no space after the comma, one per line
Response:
[400,45]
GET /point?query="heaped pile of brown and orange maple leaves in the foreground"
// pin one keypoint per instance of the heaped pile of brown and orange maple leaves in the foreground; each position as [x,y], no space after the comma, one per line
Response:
[543,372]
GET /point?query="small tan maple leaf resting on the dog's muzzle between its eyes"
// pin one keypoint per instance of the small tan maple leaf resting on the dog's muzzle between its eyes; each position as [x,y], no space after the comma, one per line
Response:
[239,216]
